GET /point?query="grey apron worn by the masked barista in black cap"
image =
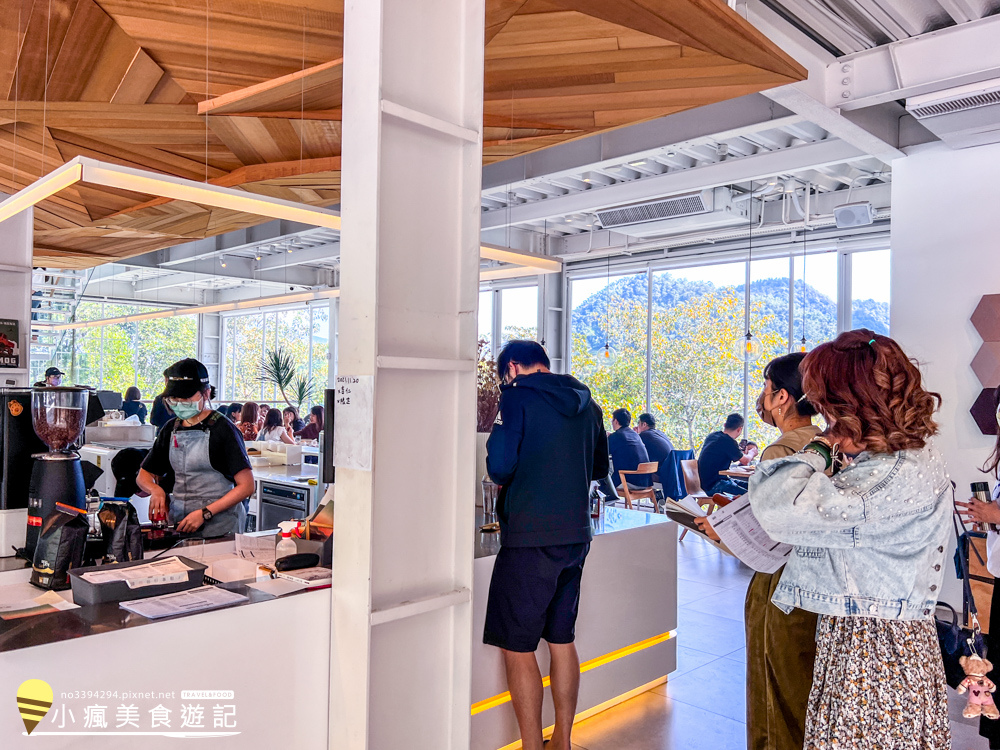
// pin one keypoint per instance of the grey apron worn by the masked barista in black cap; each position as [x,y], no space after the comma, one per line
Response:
[197,484]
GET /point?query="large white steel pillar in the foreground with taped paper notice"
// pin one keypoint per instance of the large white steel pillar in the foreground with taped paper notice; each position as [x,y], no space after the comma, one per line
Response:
[403,553]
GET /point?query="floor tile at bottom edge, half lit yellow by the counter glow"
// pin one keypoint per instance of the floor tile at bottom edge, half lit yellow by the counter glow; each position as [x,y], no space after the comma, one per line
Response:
[656,722]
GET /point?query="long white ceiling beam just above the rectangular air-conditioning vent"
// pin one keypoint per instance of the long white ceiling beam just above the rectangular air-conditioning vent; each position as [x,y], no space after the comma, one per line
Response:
[731,171]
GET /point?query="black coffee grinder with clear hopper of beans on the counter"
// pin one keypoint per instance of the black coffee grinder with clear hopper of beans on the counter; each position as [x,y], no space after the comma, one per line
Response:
[59,415]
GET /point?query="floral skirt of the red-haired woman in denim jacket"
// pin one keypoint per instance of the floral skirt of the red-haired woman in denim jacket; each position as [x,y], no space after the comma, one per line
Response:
[877,685]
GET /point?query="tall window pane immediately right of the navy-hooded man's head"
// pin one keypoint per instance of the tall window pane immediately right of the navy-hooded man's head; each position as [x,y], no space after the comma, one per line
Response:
[611,312]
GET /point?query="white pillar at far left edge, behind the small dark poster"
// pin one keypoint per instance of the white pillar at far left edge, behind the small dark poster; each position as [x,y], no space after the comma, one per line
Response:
[16,245]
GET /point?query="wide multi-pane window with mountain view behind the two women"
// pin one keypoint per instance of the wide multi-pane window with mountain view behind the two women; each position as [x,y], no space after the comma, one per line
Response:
[694,374]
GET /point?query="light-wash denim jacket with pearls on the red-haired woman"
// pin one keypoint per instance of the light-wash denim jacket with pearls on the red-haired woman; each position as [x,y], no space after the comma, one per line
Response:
[869,541]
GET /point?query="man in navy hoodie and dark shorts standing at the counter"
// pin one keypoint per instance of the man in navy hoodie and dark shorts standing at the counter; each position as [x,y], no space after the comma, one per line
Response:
[547,445]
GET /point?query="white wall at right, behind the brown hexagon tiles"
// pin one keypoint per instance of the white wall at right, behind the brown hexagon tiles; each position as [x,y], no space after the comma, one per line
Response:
[945,256]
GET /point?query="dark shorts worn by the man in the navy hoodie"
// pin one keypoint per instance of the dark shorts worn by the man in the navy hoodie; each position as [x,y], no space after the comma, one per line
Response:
[534,594]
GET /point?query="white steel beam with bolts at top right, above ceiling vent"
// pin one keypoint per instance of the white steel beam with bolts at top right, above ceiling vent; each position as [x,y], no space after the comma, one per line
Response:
[955,56]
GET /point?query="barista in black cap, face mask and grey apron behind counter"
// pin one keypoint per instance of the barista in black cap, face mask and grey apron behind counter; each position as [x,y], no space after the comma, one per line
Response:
[198,469]
